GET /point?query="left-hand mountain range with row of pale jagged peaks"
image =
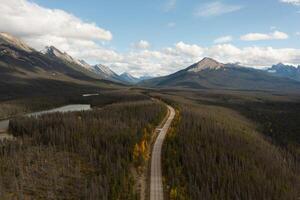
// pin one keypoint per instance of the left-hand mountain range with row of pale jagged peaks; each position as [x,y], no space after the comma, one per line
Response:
[21,64]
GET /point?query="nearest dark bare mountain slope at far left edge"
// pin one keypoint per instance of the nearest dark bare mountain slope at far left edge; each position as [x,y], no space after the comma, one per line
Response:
[24,71]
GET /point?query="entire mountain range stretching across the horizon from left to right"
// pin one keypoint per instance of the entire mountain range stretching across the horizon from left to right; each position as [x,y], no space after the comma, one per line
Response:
[22,66]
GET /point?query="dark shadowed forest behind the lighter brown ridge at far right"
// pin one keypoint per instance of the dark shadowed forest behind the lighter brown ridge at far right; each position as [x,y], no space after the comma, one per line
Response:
[277,117]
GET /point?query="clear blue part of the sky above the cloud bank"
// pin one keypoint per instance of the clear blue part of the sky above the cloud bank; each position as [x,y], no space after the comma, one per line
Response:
[133,20]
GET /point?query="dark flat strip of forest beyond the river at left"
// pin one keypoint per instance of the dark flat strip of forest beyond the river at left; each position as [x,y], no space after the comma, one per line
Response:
[15,107]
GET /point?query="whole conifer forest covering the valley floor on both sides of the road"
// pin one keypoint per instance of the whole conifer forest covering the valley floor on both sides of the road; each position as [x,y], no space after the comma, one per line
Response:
[227,145]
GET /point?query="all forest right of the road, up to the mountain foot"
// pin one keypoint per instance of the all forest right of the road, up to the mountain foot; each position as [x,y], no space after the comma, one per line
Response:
[214,152]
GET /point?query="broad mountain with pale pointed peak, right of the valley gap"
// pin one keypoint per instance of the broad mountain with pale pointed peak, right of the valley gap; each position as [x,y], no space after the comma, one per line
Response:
[209,73]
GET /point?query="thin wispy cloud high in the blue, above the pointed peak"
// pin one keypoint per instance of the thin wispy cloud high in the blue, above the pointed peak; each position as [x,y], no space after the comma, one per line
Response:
[215,8]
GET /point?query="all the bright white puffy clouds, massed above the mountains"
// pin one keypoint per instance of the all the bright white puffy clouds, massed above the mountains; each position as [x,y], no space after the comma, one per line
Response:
[40,26]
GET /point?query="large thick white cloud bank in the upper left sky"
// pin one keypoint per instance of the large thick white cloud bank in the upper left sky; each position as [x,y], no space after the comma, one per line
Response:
[40,27]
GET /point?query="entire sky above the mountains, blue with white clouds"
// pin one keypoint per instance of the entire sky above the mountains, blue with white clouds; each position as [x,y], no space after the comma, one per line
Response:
[158,37]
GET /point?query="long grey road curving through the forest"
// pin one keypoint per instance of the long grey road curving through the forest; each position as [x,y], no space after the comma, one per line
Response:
[156,185]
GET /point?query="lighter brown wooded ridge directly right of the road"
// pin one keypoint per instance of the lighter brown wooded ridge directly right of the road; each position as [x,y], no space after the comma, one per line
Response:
[214,153]
